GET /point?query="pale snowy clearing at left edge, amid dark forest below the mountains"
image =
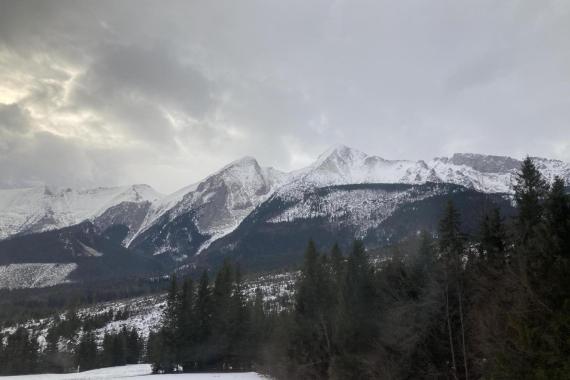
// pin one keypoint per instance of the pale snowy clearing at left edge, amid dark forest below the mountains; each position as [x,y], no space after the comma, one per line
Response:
[36,275]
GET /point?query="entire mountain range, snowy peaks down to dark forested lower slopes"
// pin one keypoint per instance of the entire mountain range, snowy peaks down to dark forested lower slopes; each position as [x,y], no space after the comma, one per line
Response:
[250,212]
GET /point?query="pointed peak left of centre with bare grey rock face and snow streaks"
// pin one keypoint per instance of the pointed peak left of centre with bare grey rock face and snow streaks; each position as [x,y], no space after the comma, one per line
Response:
[207,210]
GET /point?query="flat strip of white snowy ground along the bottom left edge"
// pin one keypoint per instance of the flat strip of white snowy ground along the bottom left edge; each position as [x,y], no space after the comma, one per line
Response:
[138,371]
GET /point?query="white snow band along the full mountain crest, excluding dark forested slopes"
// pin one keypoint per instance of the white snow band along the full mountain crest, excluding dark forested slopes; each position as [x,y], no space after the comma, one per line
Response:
[221,201]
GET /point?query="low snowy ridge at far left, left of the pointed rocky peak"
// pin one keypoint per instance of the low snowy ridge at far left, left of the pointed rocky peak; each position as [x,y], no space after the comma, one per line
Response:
[44,208]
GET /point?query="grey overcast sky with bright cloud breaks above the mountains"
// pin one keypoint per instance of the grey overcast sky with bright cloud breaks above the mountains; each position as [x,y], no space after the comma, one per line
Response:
[164,92]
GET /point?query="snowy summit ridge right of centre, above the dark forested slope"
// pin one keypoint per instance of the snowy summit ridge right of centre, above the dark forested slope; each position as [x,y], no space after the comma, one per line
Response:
[342,165]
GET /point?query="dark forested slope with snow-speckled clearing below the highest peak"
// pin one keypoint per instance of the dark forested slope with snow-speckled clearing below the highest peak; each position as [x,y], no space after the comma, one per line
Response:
[274,235]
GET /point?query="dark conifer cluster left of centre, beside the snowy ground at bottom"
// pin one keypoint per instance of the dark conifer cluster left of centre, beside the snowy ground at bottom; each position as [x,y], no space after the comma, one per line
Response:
[208,326]
